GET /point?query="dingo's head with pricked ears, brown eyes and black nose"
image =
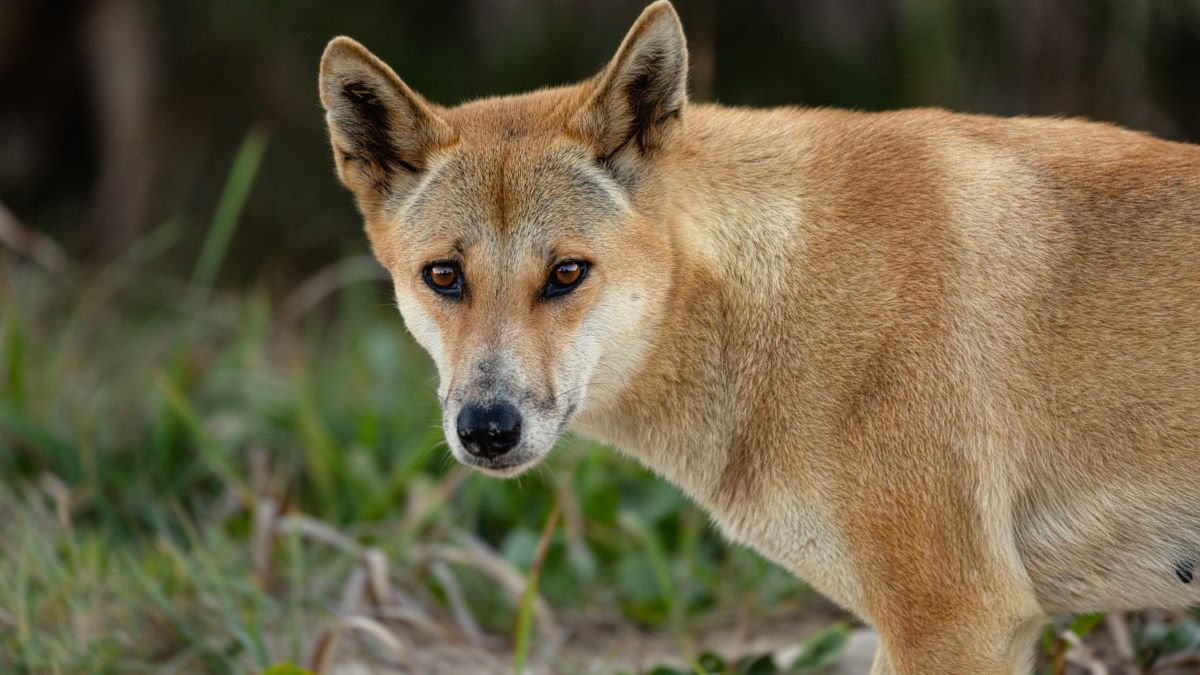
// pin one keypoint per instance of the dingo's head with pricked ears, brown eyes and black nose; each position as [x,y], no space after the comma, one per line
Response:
[527,254]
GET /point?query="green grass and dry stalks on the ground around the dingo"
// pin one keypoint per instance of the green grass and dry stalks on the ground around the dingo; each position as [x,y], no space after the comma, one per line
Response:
[218,481]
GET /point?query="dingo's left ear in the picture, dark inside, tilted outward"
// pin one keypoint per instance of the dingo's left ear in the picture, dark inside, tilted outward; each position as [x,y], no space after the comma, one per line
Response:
[381,129]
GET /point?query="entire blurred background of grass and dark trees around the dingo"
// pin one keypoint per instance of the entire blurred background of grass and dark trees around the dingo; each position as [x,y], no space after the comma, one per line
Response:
[219,446]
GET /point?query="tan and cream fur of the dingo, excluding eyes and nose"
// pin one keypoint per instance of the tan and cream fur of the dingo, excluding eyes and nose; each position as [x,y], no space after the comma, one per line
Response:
[946,368]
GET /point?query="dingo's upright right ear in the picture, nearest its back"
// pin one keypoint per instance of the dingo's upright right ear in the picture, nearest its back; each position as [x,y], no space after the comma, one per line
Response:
[639,98]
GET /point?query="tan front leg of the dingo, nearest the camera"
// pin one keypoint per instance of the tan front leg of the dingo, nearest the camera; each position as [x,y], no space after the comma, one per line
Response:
[941,578]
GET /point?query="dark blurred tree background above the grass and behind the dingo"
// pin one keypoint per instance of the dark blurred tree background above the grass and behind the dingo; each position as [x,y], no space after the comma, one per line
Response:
[119,115]
